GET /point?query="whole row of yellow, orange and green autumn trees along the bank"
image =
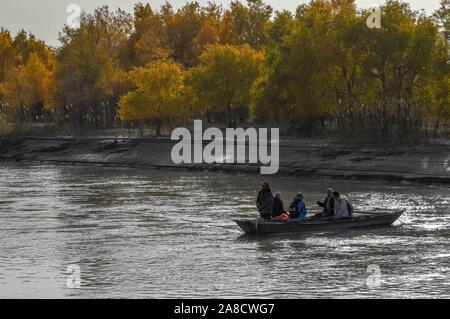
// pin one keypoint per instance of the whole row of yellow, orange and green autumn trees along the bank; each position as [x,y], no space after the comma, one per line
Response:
[320,67]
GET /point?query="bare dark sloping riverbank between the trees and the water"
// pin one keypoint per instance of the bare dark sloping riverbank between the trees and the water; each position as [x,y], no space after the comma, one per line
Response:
[421,163]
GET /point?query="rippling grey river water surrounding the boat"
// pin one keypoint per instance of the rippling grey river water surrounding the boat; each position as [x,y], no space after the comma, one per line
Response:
[163,234]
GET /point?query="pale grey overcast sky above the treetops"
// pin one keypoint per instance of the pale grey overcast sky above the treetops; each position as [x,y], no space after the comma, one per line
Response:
[45,18]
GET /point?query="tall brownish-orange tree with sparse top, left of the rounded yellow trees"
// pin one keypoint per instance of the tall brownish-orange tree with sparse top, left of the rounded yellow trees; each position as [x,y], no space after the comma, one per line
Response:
[88,76]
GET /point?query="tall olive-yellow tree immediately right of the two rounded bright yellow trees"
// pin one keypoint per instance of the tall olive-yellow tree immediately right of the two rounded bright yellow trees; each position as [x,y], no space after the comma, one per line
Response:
[299,79]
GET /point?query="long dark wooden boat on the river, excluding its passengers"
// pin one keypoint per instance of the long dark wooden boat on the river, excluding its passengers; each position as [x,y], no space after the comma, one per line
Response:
[357,220]
